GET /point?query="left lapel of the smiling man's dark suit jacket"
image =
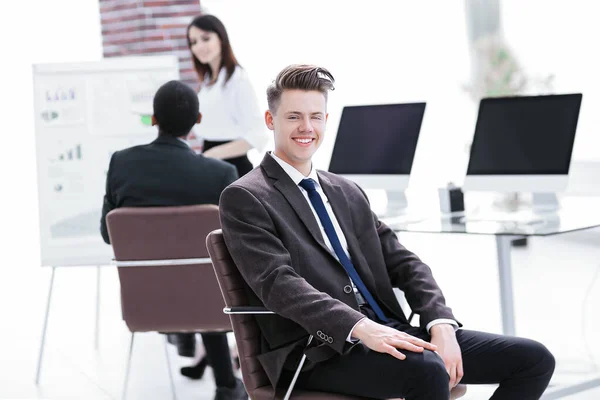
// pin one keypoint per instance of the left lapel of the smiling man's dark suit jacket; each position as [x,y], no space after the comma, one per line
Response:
[294,196]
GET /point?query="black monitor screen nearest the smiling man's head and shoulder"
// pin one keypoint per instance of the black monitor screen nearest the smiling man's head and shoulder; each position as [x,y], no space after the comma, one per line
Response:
[377,140]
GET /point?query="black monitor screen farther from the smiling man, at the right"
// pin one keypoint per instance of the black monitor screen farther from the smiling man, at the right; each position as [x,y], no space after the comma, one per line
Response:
[530,135]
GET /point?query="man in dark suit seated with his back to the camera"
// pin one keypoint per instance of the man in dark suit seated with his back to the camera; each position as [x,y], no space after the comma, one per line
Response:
[167,172]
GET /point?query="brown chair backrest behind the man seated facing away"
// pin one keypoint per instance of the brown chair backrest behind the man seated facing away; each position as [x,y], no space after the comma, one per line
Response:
[169,298]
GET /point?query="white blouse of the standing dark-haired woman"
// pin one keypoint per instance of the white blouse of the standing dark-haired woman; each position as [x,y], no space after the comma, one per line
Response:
[231,111]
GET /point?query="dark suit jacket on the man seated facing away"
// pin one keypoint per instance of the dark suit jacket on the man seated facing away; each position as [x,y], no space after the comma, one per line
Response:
[165,172]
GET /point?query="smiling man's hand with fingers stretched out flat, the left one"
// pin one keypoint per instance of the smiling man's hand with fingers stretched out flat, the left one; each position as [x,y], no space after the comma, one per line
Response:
[384,339]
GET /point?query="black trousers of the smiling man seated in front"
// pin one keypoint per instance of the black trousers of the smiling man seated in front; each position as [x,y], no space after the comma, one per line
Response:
[522,367]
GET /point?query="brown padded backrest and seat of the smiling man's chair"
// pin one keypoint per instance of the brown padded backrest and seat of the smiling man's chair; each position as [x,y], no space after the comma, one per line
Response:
[246,330]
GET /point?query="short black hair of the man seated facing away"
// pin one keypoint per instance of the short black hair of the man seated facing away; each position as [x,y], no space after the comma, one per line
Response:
[176,109]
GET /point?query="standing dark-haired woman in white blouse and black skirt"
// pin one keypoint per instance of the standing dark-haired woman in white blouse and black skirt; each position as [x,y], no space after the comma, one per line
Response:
[232,122]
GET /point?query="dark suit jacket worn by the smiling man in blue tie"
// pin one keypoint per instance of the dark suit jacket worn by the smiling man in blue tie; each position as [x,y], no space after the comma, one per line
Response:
[276,242]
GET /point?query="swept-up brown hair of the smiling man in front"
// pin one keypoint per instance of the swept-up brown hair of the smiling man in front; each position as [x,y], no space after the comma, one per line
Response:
[302,77]
